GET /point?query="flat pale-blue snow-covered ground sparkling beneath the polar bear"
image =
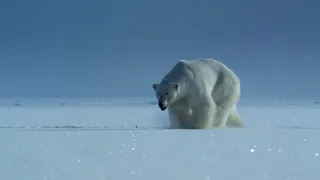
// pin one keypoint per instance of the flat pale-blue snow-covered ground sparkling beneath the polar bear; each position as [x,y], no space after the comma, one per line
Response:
[92,139]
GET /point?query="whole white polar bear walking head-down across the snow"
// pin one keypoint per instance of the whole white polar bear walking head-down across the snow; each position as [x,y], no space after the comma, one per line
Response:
[207,88]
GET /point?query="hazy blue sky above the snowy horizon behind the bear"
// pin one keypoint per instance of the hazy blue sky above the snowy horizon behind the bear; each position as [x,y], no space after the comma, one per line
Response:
[107,48]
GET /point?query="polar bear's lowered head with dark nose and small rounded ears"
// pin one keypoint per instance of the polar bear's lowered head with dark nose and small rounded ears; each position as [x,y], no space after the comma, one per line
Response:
[166,93]
